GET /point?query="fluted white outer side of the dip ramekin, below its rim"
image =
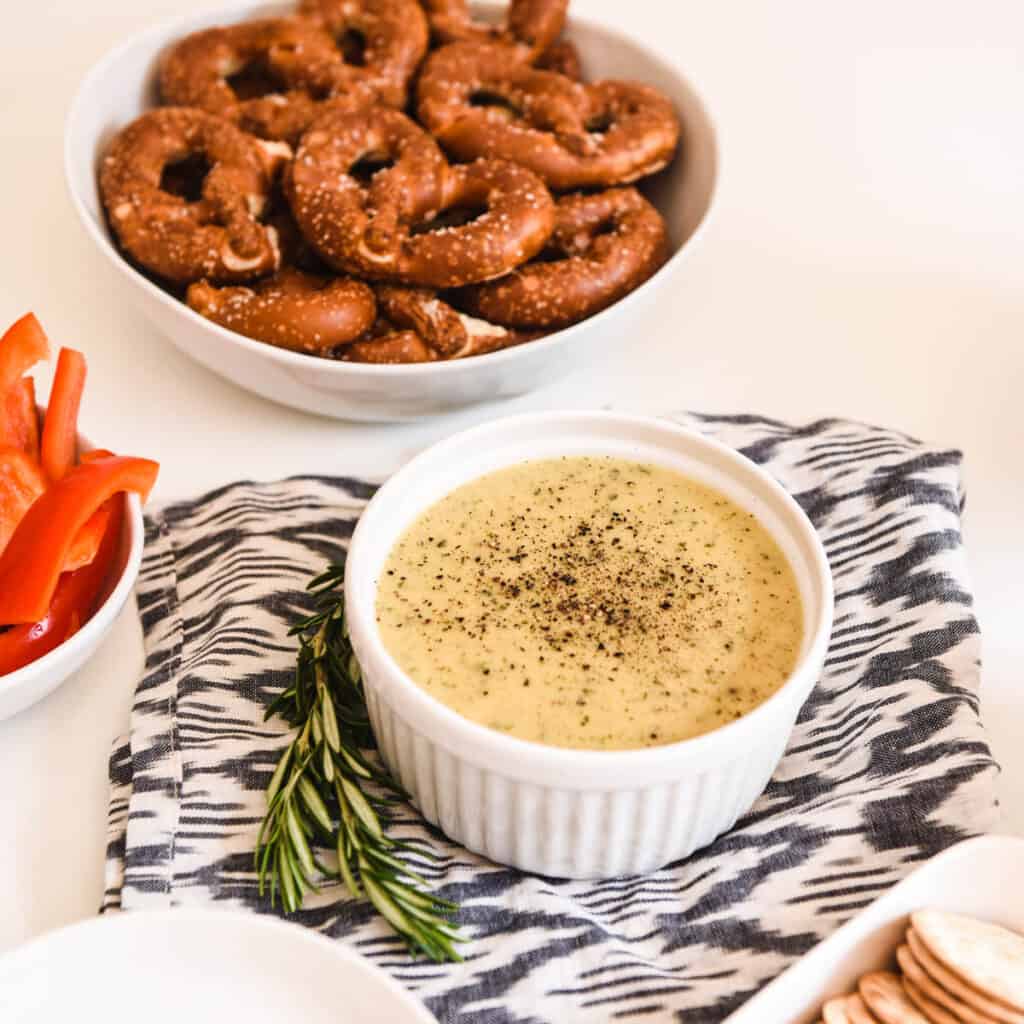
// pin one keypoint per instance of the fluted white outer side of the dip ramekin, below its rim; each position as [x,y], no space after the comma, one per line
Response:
[566,833]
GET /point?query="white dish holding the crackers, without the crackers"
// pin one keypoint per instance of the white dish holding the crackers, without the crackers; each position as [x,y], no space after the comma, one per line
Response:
[979,877]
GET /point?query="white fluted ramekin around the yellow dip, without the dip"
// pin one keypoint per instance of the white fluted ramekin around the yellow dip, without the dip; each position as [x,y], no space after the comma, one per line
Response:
[565,813]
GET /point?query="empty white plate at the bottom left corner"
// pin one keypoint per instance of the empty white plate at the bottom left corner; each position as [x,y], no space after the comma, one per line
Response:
[197,967]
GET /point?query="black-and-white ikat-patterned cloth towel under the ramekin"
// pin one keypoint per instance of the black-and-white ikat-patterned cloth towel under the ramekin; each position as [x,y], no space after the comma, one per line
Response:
[888,764]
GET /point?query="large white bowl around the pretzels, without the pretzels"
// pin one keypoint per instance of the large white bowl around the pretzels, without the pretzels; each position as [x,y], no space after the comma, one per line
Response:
[122,87]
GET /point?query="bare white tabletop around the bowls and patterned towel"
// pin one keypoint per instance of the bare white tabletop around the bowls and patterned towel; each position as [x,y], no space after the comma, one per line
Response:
[866,261]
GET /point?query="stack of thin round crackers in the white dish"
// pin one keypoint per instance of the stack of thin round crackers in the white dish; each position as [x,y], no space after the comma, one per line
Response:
[953,970]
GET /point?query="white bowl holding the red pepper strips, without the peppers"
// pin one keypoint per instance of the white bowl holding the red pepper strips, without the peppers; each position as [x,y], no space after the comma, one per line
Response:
[24,688]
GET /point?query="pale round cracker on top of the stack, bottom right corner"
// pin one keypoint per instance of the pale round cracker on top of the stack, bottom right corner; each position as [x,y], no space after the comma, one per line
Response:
[988,957]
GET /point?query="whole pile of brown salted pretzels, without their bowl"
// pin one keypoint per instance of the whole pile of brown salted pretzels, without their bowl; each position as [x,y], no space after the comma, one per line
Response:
[391,182]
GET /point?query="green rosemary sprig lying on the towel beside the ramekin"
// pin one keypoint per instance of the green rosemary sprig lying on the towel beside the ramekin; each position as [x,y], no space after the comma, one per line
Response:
[326,792]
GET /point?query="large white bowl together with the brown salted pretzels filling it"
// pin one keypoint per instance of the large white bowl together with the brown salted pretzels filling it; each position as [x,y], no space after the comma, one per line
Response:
[385,209]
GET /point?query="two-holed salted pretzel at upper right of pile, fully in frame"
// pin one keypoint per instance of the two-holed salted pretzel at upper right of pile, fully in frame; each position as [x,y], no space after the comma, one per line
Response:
[573,136]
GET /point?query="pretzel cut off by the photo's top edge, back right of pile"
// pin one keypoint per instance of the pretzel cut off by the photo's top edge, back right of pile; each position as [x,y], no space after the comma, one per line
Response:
[530,27]
